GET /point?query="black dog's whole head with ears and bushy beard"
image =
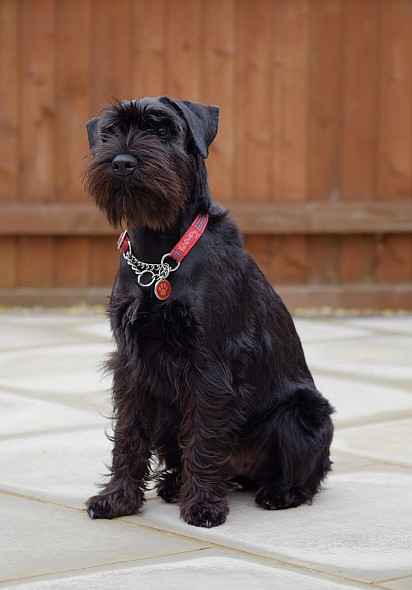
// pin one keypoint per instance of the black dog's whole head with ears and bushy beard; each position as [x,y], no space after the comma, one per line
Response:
[144,157]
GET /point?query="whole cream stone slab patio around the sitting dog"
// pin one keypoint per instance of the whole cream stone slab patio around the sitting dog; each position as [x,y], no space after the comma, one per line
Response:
[53,449]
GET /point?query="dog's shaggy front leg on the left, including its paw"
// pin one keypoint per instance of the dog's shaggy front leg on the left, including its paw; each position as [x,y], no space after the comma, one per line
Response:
[124,493]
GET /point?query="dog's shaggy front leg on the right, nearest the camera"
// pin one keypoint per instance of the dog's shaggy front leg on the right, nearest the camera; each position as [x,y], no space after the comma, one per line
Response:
[205,439]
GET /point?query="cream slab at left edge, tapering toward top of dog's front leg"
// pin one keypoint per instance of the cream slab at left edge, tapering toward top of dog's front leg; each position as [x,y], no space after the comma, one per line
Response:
[21,414]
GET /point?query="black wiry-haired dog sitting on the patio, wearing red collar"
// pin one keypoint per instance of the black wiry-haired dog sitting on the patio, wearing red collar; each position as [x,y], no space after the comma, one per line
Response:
[209,372]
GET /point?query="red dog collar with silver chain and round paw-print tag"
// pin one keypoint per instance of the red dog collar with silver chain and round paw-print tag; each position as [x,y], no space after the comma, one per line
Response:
[158,273]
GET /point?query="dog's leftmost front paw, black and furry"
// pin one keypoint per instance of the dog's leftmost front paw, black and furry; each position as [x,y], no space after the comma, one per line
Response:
[112,505]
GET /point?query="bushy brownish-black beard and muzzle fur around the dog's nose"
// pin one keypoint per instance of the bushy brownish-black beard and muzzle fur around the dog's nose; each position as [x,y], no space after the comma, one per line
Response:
[153,195]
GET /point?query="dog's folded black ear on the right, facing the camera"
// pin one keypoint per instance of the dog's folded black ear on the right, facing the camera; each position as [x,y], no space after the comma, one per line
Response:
[202,121]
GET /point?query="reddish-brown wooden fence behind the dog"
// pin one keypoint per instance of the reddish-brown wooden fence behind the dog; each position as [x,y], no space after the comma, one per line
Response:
[313,154]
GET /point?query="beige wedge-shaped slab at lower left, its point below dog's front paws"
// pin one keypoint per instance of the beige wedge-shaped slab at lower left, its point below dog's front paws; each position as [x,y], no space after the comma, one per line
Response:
[39,539]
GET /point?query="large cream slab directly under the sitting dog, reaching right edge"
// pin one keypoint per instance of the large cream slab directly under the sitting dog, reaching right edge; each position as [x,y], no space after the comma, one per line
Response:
[359,526]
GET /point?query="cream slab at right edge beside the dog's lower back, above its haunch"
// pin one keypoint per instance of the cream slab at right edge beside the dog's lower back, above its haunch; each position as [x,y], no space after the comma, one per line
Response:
[387,357]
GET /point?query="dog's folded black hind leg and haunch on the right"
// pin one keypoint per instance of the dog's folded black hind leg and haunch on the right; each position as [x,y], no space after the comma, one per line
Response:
[298,451]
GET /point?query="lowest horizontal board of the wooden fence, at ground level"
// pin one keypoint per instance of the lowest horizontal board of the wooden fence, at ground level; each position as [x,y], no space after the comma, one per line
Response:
[324,298]
